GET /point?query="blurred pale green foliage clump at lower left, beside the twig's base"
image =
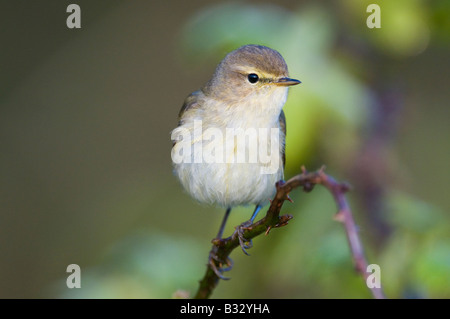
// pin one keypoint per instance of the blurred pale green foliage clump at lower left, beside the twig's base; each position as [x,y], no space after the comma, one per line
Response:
[147,264]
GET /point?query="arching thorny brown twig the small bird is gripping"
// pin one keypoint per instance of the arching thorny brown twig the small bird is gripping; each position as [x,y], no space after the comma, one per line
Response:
[307,180]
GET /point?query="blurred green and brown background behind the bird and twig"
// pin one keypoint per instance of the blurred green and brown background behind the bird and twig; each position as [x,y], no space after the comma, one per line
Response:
[85,120]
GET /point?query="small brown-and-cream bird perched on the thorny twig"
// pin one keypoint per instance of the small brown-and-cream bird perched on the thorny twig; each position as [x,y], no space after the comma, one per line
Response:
[229,146]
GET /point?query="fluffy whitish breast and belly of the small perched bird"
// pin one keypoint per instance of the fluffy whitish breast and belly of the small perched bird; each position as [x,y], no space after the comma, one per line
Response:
[233,155]
